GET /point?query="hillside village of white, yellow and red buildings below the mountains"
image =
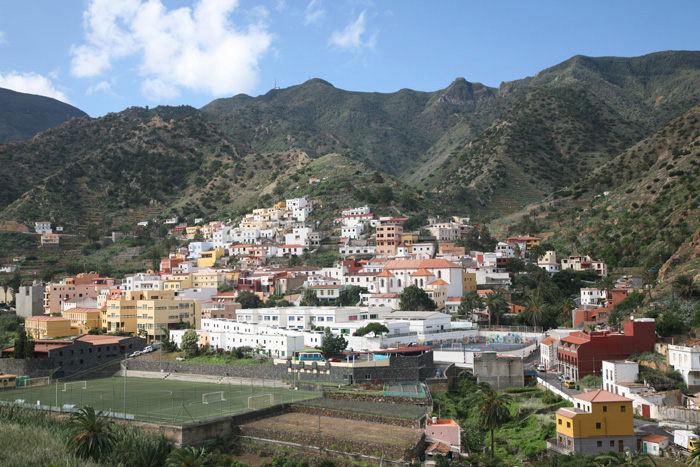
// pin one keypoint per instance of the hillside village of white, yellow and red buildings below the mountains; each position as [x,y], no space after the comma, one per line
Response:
[393,295]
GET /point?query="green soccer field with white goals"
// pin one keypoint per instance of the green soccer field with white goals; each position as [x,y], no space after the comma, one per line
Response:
[156,400]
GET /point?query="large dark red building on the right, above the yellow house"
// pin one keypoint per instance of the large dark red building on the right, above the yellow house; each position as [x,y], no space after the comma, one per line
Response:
[582,353]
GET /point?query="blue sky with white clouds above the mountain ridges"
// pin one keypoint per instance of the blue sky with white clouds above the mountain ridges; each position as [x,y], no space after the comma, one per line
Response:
[106,55]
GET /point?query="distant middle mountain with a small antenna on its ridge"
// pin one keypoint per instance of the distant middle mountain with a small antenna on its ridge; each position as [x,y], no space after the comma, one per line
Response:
[384,131]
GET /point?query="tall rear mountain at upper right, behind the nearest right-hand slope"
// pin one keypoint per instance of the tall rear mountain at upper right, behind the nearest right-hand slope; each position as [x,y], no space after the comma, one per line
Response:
[563,123]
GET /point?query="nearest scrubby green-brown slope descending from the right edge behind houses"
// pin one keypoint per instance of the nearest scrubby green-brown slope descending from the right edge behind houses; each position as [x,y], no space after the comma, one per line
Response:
[641,209]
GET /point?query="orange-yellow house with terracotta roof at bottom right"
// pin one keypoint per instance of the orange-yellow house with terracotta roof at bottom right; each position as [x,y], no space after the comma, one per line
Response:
[599,421]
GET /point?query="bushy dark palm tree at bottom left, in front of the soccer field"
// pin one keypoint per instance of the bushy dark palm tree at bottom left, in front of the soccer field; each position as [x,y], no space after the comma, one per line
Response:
[92,434]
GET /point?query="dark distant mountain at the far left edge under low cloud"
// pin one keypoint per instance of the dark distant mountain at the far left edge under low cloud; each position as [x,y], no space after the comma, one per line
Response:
[24,115]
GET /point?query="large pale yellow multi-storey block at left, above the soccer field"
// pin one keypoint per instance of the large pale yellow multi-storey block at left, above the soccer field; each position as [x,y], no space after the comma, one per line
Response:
[148,313]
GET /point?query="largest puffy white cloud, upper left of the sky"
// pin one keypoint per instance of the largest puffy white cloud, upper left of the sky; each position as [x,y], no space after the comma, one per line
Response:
[197,49]
